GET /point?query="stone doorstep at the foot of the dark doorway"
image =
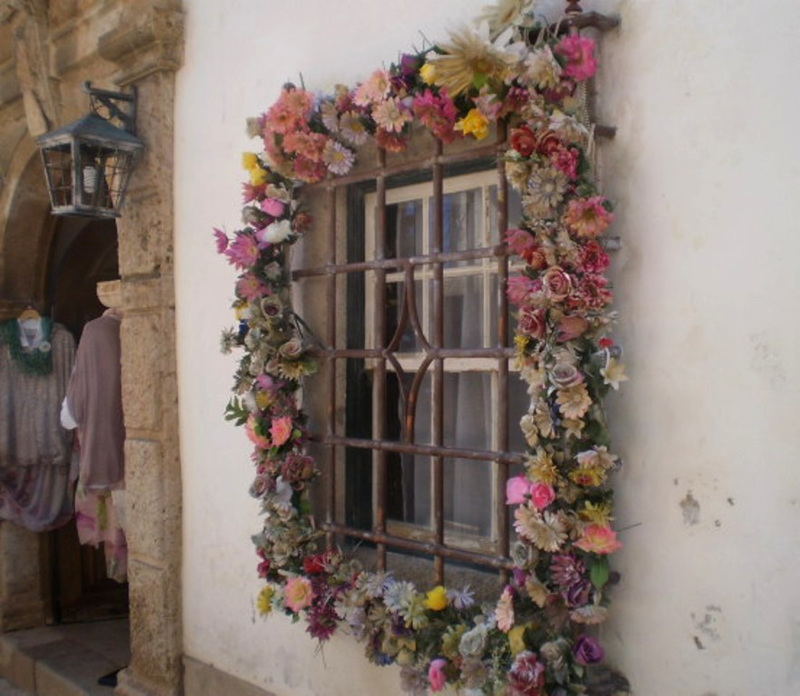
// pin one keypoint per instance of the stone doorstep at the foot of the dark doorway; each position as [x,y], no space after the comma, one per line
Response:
[64,660]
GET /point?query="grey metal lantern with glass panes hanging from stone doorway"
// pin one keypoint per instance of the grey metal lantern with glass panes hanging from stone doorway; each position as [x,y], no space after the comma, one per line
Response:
[88,162]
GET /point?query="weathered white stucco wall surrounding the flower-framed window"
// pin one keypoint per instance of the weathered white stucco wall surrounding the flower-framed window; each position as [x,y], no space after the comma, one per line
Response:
[705,174]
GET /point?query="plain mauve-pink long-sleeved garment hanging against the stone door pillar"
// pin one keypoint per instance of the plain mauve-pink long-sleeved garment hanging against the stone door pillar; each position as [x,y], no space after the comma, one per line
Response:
[94,398]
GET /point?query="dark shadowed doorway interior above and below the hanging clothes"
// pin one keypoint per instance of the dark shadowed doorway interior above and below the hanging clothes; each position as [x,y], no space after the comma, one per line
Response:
[83,253]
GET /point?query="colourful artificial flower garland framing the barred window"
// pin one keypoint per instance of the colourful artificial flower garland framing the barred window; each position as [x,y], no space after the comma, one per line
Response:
[536,638]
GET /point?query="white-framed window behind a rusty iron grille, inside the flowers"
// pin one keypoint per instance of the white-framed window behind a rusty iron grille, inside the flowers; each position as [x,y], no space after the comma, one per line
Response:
[421,408]
